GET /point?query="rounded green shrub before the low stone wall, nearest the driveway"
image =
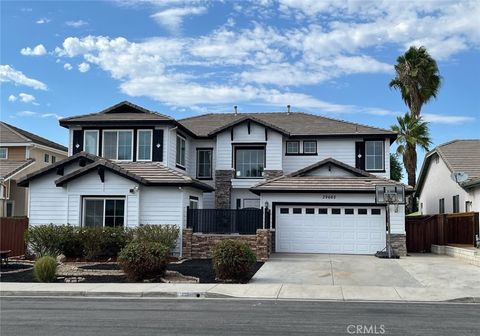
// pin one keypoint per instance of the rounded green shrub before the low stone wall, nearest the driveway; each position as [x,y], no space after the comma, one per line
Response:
[233,260]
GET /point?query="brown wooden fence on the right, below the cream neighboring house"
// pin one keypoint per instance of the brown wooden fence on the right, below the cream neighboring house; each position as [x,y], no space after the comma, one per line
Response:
[441,229]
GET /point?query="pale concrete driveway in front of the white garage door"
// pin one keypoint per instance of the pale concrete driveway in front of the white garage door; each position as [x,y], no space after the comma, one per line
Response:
[421,270]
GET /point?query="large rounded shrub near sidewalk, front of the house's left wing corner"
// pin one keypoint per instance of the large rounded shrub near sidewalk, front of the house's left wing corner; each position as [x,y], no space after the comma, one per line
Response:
[144,260]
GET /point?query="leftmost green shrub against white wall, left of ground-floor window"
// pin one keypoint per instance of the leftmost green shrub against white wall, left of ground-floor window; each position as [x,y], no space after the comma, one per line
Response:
[50,239]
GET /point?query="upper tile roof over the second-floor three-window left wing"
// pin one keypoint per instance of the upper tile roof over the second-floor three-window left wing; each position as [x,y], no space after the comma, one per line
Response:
[121,112]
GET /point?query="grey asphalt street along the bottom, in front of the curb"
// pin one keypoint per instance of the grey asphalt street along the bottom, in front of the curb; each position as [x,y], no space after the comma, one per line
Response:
[101,316]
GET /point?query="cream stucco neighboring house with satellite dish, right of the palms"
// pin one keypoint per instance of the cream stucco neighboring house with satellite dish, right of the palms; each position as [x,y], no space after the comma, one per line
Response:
[449,180]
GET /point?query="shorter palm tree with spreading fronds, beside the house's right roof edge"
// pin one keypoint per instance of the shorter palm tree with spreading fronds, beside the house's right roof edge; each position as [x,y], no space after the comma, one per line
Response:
[412,132]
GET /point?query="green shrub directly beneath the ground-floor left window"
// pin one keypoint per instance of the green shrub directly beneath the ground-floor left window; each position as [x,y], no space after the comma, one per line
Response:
[104,241]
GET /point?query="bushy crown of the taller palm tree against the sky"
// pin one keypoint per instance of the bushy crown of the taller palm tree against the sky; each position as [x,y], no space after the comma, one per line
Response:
[417,78]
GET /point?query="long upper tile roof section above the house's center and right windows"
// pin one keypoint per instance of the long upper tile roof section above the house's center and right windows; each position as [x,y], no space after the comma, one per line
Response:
[291,123]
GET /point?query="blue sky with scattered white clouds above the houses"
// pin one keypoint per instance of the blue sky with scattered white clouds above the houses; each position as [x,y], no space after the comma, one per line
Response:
[184,58]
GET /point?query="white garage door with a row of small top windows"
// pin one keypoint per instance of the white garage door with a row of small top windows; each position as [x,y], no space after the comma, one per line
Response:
[330,229]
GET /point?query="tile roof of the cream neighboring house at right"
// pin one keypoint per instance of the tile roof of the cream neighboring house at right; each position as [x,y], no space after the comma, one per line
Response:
[459,156]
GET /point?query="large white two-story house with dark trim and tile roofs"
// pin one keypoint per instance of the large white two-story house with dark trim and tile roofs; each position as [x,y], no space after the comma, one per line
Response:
[316,174]
